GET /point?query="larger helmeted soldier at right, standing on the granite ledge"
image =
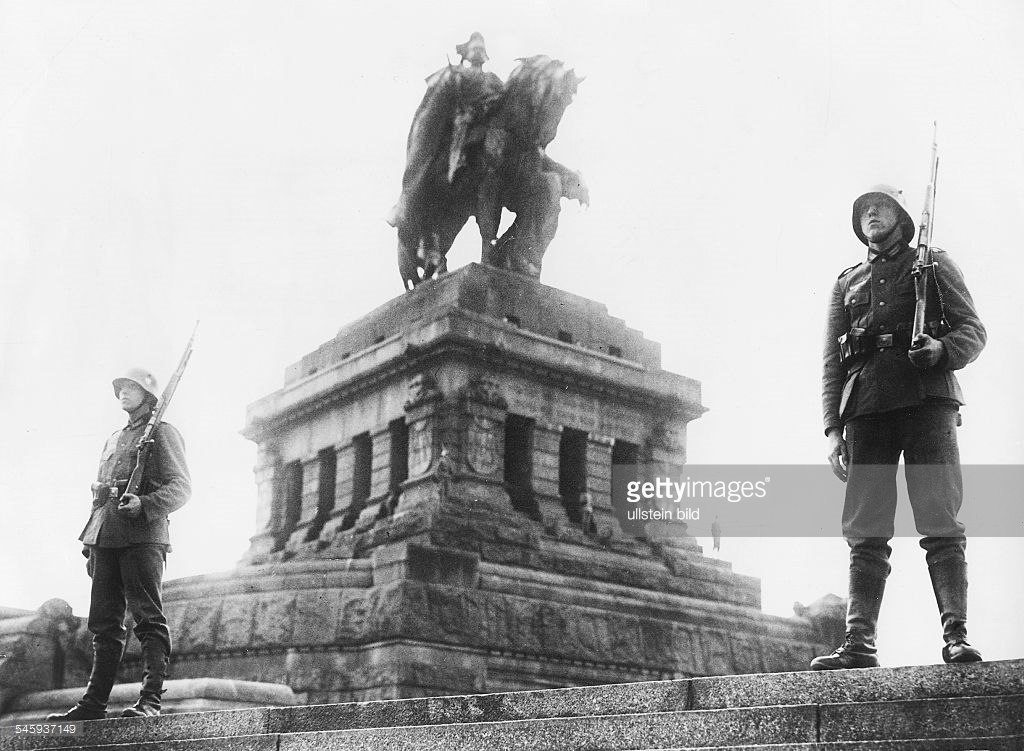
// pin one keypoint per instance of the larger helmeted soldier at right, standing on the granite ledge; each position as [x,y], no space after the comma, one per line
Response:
[884,396]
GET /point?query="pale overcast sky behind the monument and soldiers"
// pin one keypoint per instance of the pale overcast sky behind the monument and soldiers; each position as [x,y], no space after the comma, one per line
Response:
[163,162]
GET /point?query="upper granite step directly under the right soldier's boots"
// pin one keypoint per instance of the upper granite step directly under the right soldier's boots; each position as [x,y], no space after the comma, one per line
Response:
[839,688]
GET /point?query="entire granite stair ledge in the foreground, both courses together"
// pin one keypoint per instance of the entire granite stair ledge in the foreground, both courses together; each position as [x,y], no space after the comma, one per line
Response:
[942,704]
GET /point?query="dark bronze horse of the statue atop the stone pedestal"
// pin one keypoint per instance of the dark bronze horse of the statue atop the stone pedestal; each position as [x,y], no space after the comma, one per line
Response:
[478,147]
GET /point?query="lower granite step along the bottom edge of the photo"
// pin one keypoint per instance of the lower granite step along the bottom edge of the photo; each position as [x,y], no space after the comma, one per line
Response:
[922,722]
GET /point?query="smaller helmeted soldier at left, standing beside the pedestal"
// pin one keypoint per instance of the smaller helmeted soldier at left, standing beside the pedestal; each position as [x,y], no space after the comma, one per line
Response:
[126,541]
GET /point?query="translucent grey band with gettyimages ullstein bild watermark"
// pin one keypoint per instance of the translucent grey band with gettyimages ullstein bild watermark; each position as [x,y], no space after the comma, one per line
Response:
[792,500]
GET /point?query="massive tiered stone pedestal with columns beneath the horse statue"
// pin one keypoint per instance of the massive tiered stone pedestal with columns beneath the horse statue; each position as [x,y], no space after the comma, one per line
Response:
[436,517]
